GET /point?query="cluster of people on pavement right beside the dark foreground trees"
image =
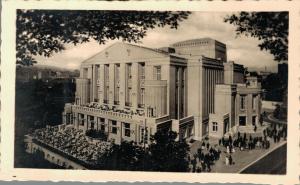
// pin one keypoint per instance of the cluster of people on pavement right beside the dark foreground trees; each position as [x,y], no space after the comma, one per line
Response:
[205,157]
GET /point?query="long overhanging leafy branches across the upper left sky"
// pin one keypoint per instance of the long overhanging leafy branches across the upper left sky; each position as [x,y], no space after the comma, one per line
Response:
[44,32]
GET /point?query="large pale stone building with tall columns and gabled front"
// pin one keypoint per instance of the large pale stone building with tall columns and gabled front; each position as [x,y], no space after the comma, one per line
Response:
[130,92]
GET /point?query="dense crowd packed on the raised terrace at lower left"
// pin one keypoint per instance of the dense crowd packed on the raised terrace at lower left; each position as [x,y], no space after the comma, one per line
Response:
[72,142]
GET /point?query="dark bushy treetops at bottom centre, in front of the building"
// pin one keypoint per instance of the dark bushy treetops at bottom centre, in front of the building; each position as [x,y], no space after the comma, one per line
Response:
[163,154]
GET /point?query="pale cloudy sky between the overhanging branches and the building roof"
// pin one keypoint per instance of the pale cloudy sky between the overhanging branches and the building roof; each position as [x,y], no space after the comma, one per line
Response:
[242,50]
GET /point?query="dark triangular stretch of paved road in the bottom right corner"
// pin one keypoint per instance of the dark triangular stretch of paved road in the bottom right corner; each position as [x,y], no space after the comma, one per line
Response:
[273,163]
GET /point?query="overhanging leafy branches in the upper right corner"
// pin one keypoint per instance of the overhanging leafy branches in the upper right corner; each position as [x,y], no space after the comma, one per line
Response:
[271,28]
